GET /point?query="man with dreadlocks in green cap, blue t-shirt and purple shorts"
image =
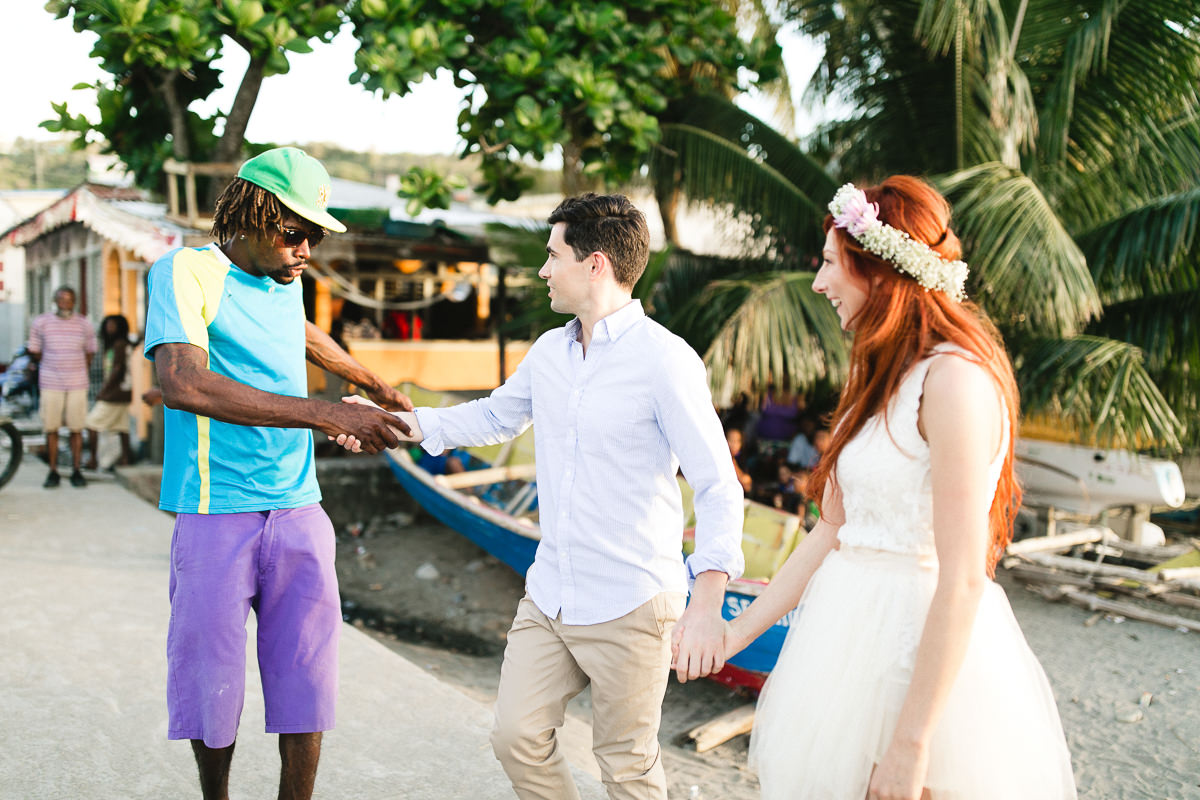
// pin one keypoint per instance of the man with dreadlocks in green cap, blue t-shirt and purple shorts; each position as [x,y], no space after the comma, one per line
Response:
[227,332]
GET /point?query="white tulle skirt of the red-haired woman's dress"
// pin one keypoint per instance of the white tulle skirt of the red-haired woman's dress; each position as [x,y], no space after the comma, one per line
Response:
[827,713]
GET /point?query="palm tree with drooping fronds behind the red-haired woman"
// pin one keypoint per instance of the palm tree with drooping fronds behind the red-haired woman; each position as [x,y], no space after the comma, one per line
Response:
[1067,136]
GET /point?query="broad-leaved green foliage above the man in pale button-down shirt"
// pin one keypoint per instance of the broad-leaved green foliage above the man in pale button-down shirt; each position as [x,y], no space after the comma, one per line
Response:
[592,79]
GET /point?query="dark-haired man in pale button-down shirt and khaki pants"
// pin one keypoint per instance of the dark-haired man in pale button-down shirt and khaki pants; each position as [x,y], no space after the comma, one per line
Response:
[620,405]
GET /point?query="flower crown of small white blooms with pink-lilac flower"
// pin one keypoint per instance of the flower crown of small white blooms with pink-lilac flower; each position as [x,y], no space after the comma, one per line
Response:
[860,219]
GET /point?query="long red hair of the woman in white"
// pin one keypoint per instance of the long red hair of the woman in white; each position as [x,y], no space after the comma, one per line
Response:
[901,323]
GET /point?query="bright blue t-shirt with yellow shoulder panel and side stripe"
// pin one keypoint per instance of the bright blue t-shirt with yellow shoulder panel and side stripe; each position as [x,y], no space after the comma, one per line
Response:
[254,332]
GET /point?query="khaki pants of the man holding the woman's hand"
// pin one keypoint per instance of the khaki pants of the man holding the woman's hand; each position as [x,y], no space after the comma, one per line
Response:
[547,664]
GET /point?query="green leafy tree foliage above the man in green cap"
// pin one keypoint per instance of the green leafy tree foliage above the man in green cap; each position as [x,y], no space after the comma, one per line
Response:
[160,55]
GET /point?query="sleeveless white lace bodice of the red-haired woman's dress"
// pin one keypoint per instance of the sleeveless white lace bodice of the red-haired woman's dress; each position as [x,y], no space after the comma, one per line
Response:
[885,474]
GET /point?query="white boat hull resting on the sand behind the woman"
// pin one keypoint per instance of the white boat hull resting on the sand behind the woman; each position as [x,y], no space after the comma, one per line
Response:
[1090,480]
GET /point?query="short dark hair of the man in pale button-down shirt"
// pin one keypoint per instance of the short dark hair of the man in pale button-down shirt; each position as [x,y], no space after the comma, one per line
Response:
[610,225]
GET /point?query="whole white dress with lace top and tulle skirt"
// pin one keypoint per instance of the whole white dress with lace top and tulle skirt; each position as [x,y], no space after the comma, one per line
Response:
[827,713]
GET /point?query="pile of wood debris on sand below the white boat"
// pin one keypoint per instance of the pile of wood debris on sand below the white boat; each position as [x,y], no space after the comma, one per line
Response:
[1096,569]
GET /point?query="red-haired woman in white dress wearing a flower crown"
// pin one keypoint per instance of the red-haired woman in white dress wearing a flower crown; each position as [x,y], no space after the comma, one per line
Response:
[905,673]
